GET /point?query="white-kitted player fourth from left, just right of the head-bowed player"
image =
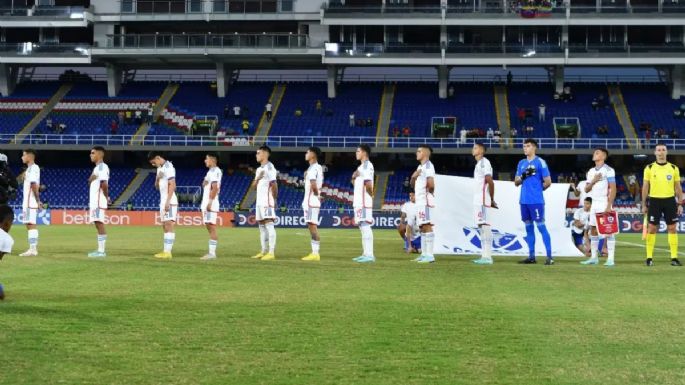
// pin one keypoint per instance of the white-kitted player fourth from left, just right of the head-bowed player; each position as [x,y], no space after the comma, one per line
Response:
[211,186]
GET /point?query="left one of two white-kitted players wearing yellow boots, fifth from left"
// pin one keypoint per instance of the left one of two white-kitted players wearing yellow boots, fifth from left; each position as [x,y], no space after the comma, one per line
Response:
[265,208]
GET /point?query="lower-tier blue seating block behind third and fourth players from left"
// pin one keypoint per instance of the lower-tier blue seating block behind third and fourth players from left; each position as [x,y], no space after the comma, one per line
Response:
[189,182]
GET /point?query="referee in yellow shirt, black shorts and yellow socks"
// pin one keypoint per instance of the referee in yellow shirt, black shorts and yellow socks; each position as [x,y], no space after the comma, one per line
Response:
[662,186]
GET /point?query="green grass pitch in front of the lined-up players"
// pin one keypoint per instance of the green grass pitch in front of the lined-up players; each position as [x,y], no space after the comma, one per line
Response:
[130,319]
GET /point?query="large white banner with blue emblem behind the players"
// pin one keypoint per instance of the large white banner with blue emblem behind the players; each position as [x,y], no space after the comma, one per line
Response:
[455,224]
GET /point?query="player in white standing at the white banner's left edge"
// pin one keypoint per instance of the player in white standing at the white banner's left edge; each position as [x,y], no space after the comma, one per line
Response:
[423,181]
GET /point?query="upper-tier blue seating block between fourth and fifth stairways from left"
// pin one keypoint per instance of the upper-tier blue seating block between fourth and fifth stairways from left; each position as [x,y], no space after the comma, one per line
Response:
[417,103]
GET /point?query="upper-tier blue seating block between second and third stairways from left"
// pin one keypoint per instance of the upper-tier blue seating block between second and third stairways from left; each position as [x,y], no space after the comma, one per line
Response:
[199,98]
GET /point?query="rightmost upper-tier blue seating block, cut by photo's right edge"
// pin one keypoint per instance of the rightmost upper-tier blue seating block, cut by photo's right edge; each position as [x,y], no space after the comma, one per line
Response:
[653,104]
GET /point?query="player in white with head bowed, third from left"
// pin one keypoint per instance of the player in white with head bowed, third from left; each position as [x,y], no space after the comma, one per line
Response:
[165,182]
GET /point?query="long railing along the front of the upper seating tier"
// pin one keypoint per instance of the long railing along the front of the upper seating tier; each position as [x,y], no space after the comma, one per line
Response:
[333,141]
